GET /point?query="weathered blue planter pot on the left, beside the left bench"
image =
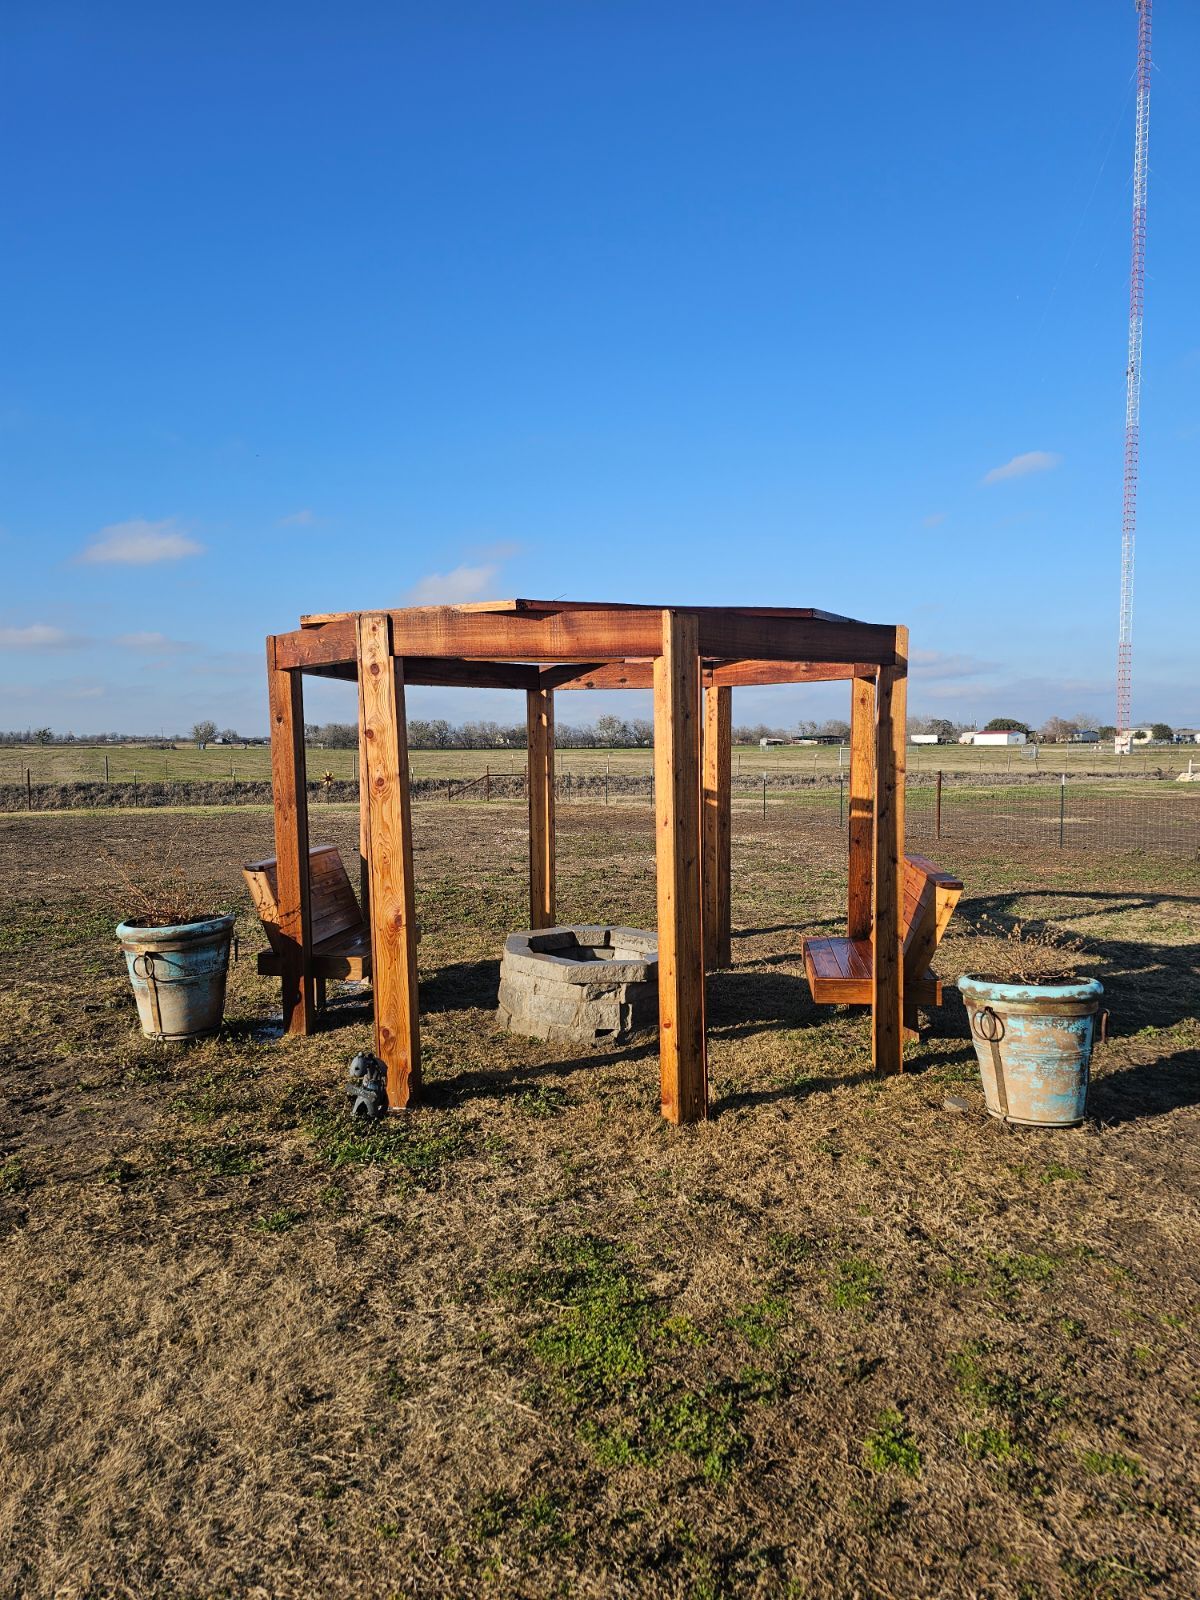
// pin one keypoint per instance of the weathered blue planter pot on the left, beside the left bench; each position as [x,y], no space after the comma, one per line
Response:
[178,975]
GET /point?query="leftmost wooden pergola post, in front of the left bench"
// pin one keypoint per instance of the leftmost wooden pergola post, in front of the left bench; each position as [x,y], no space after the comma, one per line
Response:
[289,778]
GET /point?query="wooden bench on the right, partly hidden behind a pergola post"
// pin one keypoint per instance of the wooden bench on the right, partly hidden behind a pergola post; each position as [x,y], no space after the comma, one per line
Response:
[841,972]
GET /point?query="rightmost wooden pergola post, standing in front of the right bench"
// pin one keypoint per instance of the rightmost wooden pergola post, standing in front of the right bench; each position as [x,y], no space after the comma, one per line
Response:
[887,1015]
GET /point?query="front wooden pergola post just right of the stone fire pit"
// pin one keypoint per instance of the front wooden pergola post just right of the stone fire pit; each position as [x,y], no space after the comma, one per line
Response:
[681,943]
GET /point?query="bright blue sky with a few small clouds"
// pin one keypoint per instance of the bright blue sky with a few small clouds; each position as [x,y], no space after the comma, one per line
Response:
[314,308]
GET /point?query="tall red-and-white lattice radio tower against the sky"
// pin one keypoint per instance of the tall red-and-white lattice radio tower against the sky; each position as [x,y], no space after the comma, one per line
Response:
[1134,382]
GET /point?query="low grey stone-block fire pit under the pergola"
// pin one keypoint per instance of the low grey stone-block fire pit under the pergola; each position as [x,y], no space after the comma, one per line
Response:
[580,983]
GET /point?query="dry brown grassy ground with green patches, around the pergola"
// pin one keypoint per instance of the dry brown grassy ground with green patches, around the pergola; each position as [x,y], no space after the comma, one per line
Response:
[529,1340]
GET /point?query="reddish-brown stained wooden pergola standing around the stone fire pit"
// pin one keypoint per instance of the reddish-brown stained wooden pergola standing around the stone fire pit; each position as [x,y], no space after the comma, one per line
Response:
[694,658]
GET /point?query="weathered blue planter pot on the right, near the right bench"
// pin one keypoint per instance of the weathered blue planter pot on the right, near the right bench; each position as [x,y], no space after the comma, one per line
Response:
[1034,1047]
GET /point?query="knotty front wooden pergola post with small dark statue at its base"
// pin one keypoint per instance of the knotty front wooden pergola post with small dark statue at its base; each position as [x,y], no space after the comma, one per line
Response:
[390,842]
